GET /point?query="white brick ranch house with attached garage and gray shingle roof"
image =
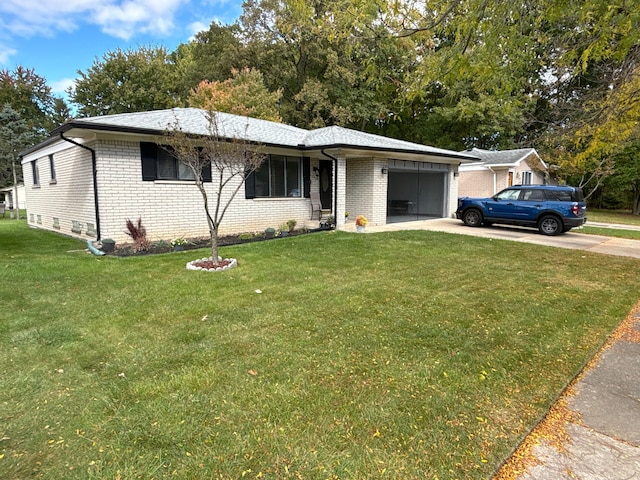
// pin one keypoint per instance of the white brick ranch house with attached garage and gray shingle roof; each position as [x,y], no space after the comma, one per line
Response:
[95,173]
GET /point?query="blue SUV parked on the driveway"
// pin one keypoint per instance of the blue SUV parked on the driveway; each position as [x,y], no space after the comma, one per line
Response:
[551,209]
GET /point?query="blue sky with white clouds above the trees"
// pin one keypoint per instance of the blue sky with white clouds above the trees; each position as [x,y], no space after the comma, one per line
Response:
[59,37]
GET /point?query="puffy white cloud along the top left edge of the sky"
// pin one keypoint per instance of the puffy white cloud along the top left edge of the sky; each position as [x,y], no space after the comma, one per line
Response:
[119,18]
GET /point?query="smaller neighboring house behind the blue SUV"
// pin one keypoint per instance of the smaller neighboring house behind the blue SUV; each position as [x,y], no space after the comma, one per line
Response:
[498,170]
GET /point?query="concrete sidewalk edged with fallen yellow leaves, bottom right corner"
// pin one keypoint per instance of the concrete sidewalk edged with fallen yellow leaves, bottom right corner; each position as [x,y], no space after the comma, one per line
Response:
[600,437]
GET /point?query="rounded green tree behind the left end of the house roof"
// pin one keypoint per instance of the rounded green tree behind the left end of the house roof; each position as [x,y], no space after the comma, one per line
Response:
[127,81]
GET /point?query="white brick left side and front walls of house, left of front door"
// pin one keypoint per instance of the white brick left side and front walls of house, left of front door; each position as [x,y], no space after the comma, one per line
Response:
[168,209]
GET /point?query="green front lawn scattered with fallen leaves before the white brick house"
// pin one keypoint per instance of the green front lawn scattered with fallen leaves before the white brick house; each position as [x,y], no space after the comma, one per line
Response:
[393,355]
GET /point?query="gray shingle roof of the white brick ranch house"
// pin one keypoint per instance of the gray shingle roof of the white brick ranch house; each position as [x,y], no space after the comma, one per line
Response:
[194,121]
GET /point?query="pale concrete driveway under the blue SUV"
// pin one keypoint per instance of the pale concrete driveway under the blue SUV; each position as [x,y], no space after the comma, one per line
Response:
[572,240]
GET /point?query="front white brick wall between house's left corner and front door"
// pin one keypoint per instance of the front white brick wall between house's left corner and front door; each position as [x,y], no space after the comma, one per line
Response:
[171,209]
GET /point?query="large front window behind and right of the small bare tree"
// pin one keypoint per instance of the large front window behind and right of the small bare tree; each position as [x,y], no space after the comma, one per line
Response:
[279,176]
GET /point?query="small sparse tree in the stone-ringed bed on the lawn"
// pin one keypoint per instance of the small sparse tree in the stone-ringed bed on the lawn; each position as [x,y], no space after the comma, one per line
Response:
[232,159]
